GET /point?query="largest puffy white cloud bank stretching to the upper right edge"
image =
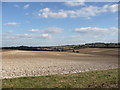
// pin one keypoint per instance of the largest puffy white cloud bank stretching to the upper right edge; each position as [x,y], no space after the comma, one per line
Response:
[86,12]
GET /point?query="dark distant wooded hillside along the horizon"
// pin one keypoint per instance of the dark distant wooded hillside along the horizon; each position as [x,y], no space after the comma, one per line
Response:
[65,47]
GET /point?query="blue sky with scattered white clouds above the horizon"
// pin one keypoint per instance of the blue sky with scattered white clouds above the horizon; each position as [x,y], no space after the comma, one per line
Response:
[58,23]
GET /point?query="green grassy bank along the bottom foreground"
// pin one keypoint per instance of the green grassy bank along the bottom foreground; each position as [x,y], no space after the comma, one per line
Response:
[94,79]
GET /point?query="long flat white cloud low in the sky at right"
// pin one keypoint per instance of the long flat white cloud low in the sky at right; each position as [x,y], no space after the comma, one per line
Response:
[96,31]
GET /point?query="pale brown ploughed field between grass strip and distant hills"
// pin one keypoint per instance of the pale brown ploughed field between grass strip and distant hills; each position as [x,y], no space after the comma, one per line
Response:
[18,63]
